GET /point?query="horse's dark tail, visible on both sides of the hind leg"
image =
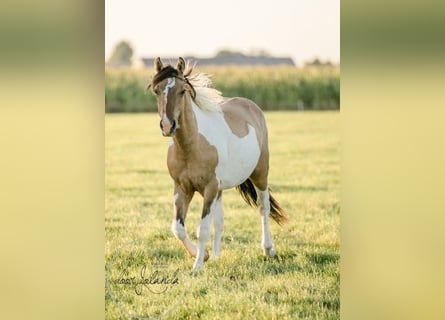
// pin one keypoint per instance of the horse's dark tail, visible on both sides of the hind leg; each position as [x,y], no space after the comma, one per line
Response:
[248,192]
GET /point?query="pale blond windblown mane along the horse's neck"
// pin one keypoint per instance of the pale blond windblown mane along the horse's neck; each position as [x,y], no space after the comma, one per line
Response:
[207,98]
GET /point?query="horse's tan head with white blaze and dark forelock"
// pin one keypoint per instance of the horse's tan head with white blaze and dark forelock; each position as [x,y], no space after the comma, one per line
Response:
[170,86]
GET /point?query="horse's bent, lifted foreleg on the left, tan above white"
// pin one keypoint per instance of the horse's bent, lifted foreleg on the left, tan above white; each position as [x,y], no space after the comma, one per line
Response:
[181,202]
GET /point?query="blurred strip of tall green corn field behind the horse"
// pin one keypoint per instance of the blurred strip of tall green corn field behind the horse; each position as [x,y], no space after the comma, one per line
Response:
[272,88]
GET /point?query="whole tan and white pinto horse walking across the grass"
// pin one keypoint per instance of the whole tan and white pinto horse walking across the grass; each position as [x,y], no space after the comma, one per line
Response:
[216,143]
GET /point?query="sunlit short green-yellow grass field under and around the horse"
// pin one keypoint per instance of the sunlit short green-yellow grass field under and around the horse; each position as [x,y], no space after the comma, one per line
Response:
[302,283]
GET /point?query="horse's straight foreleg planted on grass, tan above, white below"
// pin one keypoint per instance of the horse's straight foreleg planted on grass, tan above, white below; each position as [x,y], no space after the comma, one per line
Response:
[203,232]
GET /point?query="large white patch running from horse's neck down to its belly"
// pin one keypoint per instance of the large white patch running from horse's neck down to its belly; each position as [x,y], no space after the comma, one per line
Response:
[237,157]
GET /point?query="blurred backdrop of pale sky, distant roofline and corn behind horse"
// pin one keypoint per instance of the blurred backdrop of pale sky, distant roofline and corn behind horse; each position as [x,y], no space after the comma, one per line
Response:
[282,56]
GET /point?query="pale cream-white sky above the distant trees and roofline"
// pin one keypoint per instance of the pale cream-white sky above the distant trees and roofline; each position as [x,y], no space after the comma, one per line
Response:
[300,29]
